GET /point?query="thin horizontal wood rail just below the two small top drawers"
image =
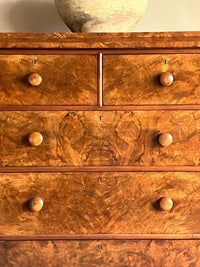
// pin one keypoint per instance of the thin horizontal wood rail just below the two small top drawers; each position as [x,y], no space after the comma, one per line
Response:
[98,108]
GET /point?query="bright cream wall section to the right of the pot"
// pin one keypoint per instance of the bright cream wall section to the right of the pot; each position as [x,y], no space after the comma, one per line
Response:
[171,15]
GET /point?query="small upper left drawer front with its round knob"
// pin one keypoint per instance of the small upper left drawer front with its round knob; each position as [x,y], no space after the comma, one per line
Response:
[48,80]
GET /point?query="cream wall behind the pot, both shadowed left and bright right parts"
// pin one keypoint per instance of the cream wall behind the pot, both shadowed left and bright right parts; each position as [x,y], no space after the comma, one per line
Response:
[41,16]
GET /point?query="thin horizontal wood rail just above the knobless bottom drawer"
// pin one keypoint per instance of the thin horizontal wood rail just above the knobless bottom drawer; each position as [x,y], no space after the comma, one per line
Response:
[101,237]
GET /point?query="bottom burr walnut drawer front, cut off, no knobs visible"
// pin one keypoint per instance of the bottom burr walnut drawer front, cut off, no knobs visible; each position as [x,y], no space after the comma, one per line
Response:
[151,253]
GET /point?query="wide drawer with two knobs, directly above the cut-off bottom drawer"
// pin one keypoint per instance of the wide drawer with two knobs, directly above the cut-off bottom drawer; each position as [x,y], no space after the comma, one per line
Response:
[100,203]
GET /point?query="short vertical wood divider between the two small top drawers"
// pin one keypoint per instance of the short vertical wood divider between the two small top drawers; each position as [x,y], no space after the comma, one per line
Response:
[100,79]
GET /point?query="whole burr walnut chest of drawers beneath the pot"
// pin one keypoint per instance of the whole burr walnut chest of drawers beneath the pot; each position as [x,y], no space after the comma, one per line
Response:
[99,149]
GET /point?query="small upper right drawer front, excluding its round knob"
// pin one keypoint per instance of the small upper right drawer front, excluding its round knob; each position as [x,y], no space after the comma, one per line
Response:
[134,79]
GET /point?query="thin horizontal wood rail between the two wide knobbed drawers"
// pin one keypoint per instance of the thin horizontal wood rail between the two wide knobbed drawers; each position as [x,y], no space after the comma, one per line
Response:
[38,169]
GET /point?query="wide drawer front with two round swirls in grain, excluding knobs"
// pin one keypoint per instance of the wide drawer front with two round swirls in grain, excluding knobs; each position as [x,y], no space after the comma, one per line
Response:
[107,138]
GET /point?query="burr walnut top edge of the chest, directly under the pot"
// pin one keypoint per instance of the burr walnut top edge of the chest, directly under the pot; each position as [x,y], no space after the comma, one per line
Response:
[101,40]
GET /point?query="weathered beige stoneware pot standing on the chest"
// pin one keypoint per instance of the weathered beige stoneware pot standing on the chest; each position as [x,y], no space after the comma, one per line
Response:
[101,15]
